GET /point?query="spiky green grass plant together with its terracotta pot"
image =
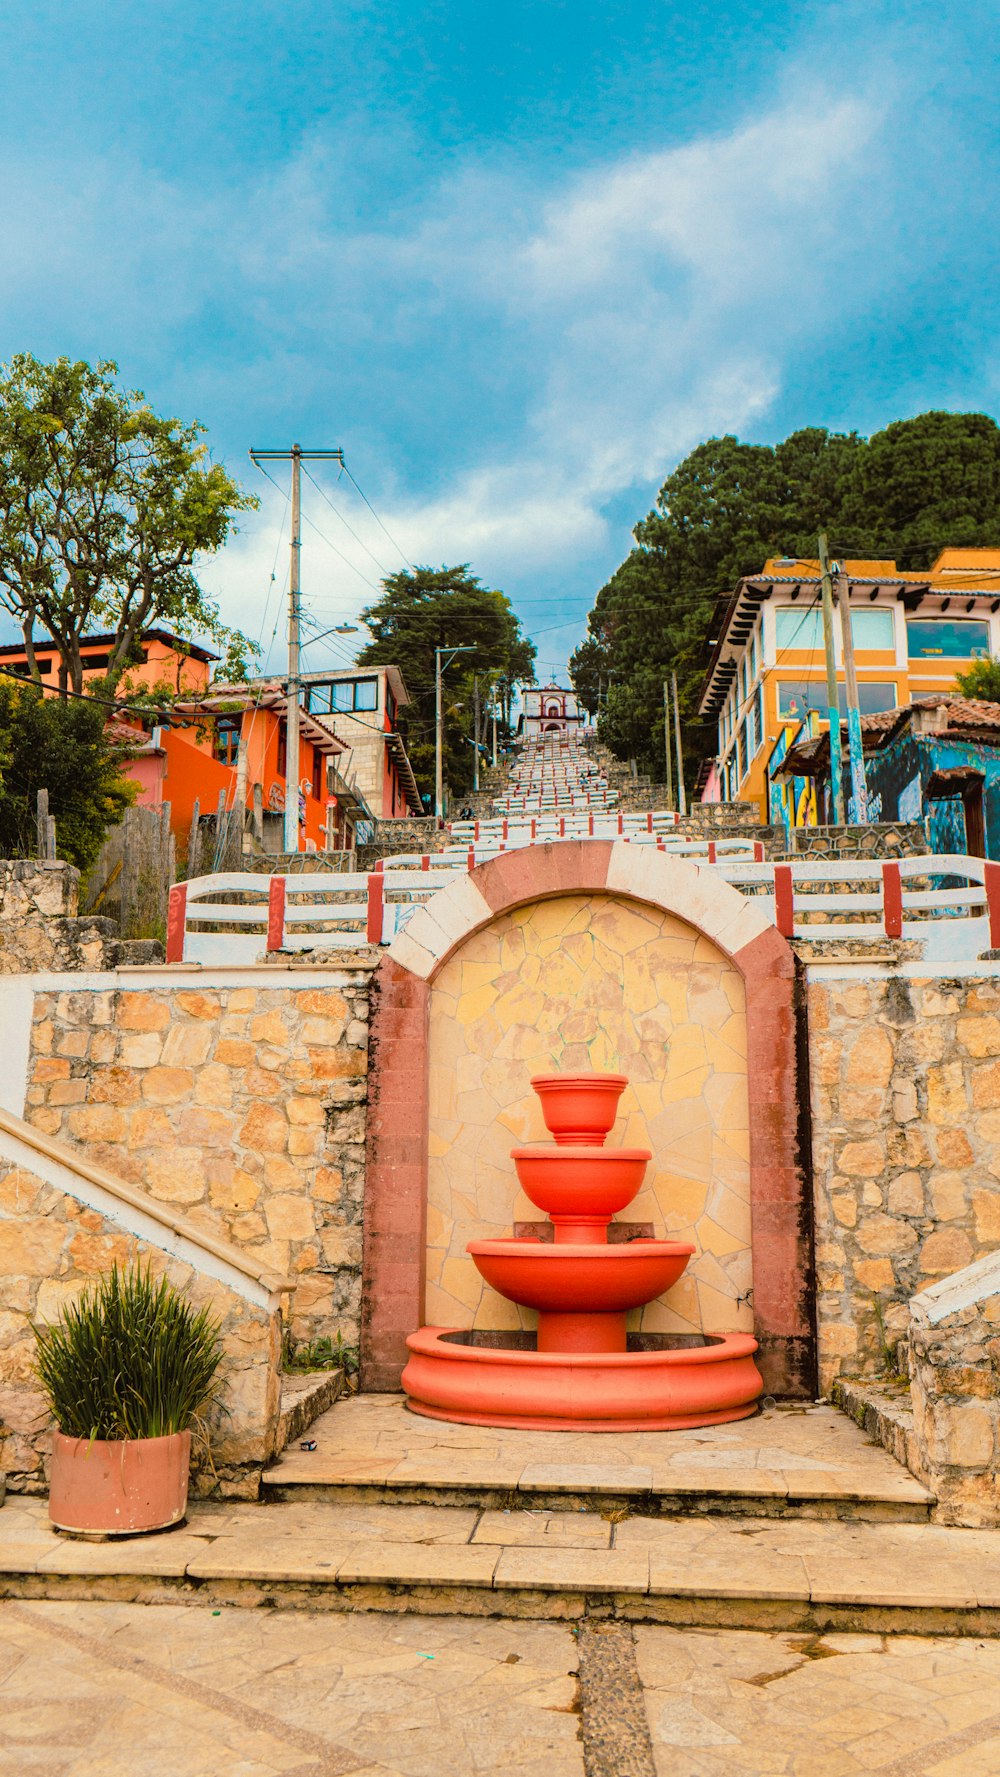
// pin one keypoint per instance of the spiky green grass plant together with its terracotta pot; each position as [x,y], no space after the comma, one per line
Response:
[127,1371]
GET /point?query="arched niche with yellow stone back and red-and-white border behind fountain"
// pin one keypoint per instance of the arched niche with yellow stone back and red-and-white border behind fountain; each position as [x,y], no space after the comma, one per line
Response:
[688,989]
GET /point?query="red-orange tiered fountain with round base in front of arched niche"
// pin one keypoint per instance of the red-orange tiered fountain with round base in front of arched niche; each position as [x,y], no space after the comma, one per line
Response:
[582,1371]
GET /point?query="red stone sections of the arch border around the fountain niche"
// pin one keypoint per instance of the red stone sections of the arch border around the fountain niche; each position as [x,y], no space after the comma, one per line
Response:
[397,1181]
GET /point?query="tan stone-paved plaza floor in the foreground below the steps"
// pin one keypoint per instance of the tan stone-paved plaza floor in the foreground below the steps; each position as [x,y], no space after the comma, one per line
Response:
[177,1691]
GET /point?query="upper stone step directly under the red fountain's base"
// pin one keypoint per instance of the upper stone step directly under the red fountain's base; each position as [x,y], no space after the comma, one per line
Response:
[784,1463]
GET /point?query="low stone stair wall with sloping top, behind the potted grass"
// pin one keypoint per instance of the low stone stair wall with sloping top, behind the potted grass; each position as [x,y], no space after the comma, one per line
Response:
[52,1247]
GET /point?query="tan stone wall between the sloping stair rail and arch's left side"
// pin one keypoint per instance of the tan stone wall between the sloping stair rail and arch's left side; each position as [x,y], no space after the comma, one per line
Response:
[242,1106]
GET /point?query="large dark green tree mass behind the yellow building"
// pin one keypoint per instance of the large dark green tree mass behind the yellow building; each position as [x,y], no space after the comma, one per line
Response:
[905,493]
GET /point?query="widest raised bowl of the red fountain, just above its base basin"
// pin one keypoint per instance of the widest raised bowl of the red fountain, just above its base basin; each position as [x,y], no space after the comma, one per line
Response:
[580,1277]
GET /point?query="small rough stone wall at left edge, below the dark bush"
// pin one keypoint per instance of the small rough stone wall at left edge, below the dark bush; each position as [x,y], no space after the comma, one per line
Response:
[38,920]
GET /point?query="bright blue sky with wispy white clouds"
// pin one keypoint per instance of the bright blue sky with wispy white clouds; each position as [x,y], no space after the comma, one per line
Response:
[516,259]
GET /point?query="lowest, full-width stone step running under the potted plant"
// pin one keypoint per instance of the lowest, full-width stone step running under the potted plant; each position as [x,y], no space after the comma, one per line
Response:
[688,1572]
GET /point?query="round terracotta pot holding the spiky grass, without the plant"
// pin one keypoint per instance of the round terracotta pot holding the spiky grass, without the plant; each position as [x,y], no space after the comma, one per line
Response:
[120,1488]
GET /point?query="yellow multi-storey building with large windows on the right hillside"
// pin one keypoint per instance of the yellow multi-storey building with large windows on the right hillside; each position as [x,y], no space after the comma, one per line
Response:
[768,669]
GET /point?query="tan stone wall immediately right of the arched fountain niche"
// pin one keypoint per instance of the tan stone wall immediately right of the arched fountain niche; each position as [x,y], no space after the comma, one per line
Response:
[907,1151]
